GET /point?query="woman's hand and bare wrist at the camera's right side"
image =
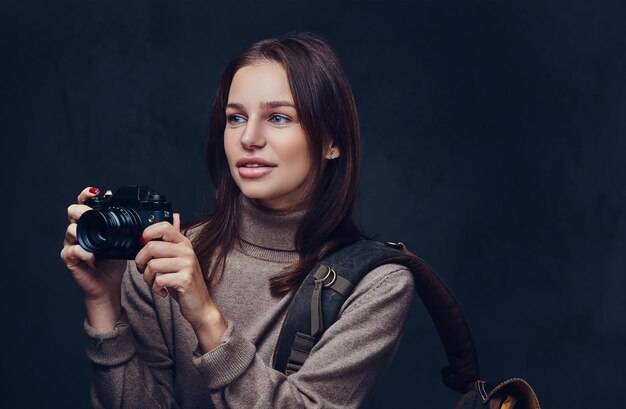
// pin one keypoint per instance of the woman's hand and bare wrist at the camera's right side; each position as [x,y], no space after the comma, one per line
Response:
[170,266]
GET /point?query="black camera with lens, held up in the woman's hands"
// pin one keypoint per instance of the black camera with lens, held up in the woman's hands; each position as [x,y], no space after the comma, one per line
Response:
[111,230]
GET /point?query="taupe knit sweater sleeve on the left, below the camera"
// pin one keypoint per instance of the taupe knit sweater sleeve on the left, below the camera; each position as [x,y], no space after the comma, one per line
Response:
[125,375]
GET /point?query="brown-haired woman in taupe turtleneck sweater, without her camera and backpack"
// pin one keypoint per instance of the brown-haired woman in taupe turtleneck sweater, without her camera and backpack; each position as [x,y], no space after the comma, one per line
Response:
[198,327]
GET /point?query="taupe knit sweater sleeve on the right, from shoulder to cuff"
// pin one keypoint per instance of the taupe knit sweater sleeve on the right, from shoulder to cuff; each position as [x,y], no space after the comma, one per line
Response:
[343,366]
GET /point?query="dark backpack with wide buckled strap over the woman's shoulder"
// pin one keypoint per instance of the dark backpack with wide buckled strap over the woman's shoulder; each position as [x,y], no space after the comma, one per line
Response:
[318,301]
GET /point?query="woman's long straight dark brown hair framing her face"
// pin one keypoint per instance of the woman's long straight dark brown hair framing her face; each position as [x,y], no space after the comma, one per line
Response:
[327,113]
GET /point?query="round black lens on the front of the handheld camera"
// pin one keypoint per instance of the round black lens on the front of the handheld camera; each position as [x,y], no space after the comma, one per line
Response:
[114,231]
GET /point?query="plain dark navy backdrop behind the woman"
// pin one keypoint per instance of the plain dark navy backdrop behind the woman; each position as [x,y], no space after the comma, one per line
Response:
[493,134]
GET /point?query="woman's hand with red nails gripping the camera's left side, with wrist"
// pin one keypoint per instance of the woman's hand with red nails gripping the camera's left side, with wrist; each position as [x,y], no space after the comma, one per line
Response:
[99,280]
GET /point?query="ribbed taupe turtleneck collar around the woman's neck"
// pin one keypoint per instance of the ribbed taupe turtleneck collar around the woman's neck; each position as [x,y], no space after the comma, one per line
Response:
[266,234]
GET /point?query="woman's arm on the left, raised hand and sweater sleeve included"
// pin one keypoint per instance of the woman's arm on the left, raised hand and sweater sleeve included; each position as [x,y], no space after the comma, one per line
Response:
[119,377]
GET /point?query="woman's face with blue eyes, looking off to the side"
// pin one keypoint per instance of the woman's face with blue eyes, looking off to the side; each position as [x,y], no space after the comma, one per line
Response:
[266,147]
